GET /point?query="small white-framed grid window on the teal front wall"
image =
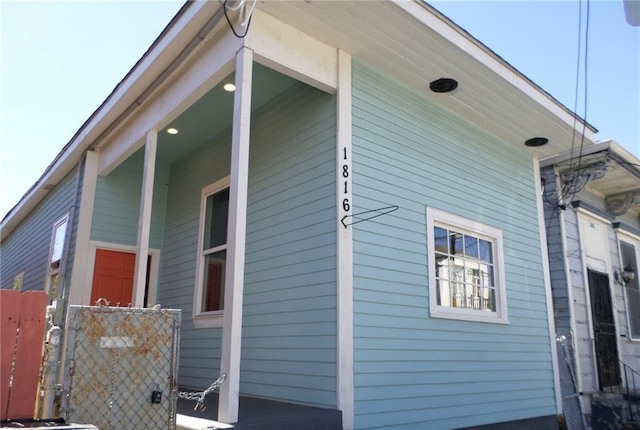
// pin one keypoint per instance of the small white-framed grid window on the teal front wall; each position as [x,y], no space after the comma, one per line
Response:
[466,275]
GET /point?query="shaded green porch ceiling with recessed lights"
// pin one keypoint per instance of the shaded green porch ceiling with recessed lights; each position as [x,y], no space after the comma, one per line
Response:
[212,114]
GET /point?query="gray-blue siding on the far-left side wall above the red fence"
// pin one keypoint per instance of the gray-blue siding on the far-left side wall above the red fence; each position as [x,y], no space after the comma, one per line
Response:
[27,247]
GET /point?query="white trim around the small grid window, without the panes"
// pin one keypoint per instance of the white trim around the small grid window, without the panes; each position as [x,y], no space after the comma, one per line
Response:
[494,235]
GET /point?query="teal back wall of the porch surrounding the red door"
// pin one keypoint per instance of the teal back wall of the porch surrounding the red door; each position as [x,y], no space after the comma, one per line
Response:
[117,203]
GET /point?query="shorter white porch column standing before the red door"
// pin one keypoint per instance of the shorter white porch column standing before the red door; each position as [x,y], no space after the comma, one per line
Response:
[144,220]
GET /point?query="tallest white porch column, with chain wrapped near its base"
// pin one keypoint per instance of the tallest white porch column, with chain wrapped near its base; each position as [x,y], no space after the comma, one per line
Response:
[236,239]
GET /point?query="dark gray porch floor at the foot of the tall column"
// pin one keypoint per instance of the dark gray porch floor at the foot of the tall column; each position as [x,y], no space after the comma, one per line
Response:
[263,414]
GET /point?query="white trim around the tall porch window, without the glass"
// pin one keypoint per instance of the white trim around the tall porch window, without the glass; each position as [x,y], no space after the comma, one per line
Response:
[208,319]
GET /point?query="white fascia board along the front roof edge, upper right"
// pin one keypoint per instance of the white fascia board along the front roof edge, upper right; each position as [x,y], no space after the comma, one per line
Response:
[438,22]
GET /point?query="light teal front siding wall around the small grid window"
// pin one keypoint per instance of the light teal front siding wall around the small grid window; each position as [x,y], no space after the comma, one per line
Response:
[413,371]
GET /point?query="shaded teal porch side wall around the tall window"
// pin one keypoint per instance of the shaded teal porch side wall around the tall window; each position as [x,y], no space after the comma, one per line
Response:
[289,321]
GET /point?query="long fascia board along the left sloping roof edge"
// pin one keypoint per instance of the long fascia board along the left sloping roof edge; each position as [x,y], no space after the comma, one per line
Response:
[178,32]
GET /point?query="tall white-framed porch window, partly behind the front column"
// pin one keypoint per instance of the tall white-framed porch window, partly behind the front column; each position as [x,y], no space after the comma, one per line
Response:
[212,250]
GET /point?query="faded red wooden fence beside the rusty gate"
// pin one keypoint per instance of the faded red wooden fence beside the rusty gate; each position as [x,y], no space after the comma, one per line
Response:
[22,322]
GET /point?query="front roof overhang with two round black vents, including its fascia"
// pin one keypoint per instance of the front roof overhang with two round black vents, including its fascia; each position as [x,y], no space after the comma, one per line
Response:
[491,93]
